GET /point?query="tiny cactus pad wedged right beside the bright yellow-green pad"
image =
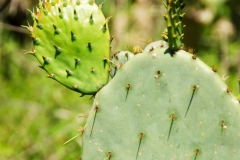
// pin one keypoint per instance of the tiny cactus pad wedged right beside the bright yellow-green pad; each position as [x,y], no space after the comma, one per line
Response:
[118,60]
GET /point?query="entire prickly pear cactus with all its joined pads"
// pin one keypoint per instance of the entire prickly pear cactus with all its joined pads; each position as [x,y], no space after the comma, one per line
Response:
[164,103]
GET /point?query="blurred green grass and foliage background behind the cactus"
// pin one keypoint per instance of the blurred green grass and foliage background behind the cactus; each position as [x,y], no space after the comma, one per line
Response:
[37,115]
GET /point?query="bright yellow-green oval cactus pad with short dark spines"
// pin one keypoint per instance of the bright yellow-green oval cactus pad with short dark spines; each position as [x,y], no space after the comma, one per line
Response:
[71,39]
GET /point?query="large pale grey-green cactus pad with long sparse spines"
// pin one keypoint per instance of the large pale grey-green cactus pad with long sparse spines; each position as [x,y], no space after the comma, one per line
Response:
[161,106]
